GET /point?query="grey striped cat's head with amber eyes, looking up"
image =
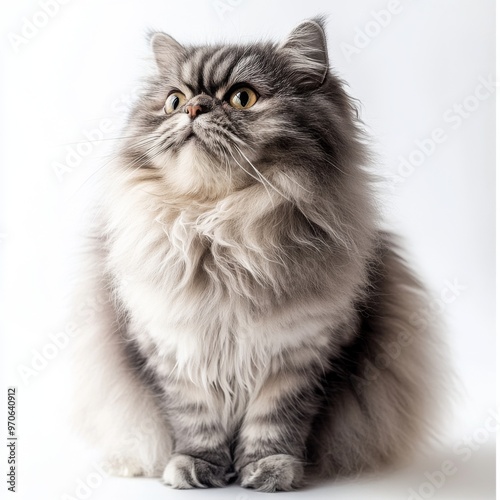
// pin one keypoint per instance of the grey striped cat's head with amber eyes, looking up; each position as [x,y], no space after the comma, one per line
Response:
[218,118]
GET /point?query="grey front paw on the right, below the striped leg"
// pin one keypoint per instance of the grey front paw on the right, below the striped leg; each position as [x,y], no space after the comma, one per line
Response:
[273,473]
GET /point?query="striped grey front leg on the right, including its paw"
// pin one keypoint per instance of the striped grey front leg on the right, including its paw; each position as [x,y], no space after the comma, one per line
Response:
[270,454]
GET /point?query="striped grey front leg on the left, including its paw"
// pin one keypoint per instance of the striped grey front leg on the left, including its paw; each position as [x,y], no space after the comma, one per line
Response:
[202,456]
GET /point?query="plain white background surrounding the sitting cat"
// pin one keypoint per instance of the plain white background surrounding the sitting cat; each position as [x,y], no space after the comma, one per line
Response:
[83,65]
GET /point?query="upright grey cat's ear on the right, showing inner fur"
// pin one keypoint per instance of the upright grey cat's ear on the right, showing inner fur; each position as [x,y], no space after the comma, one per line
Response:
[306,45]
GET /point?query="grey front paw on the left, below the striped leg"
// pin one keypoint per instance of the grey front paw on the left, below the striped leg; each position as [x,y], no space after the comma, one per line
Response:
[183,472]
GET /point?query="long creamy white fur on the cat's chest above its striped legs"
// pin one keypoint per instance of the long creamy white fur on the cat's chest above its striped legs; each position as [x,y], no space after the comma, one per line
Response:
[199,291]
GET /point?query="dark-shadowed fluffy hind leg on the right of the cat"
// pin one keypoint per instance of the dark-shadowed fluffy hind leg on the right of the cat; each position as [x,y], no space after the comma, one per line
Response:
[386,390]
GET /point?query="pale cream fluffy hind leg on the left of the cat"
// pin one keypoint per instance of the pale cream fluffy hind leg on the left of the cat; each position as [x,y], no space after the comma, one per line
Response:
[112,409]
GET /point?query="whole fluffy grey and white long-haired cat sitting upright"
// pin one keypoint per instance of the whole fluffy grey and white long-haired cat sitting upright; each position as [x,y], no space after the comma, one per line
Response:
[257,324]
